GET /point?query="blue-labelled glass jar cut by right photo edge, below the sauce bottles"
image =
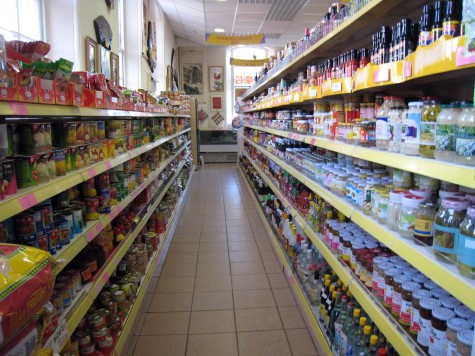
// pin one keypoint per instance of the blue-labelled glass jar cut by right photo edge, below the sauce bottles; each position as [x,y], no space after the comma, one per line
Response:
[465,143]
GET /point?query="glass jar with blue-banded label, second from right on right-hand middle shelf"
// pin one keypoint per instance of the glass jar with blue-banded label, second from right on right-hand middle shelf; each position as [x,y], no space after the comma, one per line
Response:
[446,225]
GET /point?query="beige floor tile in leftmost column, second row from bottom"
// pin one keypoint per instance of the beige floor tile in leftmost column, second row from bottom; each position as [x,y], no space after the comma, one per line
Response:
[175,323]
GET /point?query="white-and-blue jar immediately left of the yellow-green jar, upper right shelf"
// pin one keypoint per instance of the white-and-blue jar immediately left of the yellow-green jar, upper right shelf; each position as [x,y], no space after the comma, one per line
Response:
[411,129]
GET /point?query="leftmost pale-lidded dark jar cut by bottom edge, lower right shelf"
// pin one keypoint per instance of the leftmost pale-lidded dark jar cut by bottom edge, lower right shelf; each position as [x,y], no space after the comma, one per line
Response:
[438,330]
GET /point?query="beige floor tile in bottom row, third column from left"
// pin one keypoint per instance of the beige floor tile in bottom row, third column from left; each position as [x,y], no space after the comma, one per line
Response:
[263,343]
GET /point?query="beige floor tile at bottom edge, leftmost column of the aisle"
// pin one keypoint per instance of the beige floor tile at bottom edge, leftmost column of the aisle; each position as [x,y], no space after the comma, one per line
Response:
[170,345]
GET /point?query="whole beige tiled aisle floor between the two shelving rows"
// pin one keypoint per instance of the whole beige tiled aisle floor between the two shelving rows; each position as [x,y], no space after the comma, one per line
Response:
[221,290]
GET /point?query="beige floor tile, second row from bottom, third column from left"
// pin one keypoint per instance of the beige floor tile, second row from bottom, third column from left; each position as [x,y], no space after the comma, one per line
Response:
[257,319]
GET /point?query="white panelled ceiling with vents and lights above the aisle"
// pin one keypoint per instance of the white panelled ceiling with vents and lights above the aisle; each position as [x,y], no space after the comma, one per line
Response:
[281,21]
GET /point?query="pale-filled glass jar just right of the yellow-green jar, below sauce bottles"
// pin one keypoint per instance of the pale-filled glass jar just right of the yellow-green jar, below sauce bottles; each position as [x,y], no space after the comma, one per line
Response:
[446,133]
